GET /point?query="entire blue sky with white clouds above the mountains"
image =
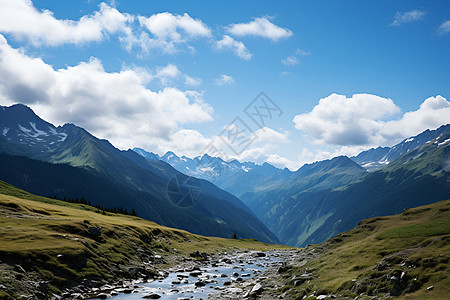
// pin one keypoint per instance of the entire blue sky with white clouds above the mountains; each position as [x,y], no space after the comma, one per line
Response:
[287,83]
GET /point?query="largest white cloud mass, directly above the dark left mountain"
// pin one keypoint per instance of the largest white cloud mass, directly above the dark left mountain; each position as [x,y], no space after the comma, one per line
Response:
[116,106]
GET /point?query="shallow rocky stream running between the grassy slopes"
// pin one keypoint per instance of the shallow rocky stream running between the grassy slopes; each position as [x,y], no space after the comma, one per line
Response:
[210,280]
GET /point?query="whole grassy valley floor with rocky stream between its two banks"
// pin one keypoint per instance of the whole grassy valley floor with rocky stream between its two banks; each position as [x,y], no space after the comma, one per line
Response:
[50,248]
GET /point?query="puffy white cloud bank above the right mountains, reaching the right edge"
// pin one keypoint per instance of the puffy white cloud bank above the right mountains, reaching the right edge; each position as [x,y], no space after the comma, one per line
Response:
[368,120]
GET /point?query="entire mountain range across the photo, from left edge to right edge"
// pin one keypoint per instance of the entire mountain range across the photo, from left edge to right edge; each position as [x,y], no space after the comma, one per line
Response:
[210,196]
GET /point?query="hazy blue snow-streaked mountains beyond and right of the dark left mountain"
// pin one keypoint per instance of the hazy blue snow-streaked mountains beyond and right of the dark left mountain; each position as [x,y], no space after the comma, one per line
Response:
[322,199]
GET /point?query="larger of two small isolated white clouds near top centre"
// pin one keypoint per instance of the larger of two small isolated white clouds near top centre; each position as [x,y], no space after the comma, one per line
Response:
[260,27]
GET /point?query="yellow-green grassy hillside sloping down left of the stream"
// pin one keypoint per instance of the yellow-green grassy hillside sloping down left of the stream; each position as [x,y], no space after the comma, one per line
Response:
[64,243]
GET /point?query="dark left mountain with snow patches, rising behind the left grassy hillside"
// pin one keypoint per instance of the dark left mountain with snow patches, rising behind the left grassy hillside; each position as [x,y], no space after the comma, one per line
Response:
[67,161]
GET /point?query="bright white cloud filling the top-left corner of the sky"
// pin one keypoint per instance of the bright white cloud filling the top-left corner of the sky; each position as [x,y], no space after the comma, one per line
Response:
[21,19]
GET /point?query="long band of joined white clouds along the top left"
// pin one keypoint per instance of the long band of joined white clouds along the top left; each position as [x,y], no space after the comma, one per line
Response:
[165,32]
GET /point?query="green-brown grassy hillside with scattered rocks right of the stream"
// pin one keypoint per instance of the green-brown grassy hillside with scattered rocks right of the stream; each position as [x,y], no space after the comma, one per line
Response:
[402,255]
